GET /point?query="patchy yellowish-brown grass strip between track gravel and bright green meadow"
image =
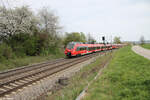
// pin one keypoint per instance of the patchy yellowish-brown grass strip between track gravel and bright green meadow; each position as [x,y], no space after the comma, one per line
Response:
[80,80]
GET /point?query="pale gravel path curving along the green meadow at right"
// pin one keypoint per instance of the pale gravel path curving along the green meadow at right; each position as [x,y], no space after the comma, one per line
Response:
[141,51]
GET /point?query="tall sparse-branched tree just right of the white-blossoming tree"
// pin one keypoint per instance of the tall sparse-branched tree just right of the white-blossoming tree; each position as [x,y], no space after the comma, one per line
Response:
[49,24]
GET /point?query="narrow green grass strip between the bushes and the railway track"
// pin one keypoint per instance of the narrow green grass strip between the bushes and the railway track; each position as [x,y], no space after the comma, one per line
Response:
[18,62]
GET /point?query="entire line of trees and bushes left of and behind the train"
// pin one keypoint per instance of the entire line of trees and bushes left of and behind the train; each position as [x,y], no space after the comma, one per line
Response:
[24,33]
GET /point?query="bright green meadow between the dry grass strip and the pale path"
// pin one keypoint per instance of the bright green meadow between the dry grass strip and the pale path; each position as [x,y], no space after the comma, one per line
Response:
[126,78]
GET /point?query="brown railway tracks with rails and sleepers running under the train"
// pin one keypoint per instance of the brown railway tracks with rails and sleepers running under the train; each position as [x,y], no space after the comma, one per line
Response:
[15,79]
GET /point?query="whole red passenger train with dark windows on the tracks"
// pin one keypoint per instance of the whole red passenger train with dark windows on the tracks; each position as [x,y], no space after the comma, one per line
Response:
[78,48]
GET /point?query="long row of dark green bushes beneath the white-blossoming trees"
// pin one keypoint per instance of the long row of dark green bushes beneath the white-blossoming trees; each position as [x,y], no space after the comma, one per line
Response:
[25,44]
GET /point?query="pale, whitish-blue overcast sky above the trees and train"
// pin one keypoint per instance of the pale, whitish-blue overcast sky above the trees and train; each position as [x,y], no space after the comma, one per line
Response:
[128,19]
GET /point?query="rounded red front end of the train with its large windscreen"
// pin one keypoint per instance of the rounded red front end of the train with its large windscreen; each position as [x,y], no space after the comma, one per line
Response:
[69,51]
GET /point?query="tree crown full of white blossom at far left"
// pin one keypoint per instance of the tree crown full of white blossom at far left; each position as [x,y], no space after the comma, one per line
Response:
[17,20]
